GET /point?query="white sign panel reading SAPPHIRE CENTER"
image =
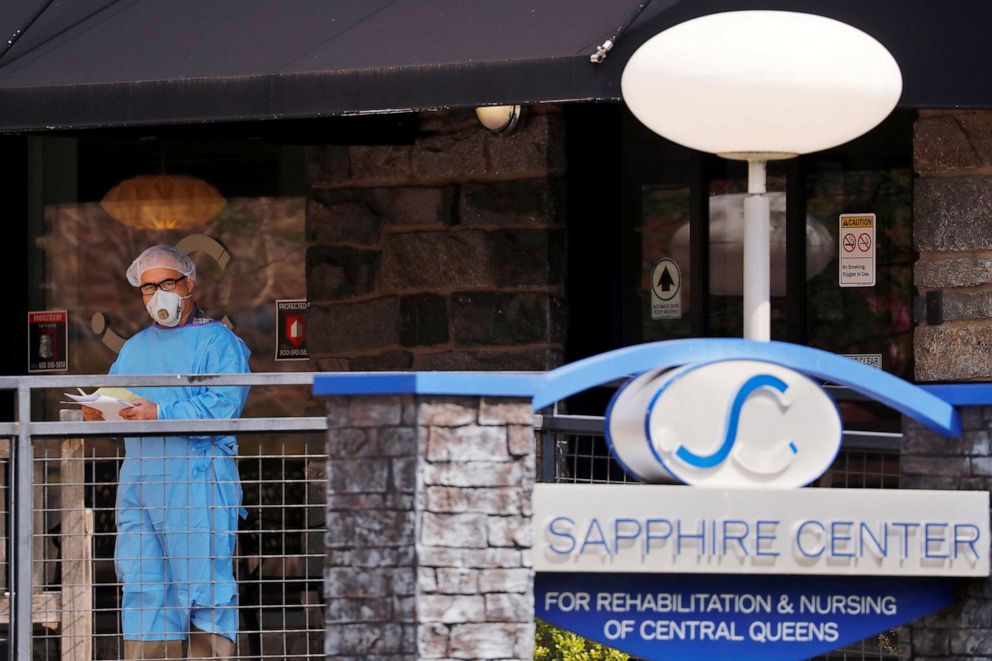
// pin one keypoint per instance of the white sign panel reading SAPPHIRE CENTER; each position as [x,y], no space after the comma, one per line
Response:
[677,529]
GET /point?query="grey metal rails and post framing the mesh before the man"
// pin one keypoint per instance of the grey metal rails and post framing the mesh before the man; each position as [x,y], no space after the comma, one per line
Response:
[27,433]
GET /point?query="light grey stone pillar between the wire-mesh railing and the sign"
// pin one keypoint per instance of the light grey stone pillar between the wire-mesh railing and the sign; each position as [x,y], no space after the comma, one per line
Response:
[429,528]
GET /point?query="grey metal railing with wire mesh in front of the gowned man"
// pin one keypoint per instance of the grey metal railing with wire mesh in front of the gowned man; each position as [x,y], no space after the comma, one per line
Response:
[148,538]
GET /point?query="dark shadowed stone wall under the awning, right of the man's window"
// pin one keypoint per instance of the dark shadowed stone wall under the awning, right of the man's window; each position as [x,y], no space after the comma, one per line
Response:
[444,254]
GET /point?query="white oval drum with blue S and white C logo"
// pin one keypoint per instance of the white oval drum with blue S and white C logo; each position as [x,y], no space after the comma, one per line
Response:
[728,424]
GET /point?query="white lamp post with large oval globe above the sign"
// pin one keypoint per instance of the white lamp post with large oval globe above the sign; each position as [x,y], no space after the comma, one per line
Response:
[758,86]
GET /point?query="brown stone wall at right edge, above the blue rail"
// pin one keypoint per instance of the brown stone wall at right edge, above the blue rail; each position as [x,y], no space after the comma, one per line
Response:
[952,209]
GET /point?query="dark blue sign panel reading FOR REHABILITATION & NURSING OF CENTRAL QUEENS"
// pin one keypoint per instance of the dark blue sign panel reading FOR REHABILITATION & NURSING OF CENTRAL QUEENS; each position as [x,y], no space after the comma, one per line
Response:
[732,617]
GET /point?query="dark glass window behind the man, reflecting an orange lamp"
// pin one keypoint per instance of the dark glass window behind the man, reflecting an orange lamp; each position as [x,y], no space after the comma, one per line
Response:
[237,207]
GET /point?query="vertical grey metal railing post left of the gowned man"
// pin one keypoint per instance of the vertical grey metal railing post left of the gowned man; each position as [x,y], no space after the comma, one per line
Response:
[21,532]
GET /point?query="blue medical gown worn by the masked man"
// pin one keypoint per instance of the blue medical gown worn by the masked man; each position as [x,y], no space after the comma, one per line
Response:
[179,497]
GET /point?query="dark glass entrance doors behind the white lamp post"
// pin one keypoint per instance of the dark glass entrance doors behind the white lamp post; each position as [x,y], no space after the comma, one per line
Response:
[688,205]
